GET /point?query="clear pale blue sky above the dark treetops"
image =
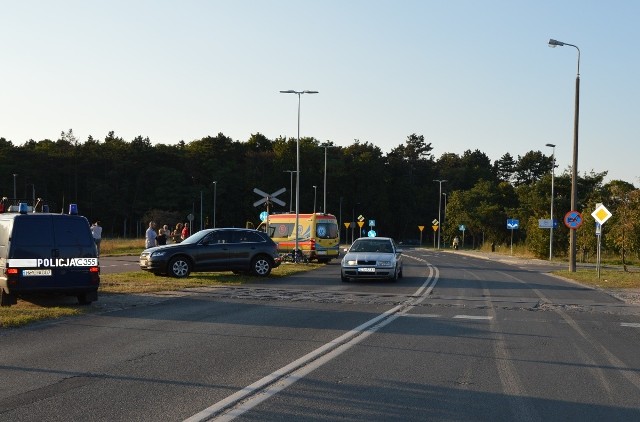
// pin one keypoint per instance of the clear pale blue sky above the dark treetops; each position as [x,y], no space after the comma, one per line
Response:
[466,74]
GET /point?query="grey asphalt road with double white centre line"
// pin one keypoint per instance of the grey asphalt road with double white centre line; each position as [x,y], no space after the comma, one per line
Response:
[458,338]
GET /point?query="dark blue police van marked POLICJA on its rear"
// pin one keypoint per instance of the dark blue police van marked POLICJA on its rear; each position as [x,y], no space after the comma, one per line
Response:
[43,252]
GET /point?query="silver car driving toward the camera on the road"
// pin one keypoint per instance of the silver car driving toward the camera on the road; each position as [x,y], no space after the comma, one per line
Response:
[372,257]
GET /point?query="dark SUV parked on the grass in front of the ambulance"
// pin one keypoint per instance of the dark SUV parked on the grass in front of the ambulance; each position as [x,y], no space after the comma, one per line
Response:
[223,249]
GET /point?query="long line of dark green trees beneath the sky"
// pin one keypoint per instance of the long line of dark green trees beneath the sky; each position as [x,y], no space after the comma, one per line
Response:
[125,184]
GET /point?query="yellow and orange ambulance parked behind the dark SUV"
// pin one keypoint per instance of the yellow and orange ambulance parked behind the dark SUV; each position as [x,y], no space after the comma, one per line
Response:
[317,234]
